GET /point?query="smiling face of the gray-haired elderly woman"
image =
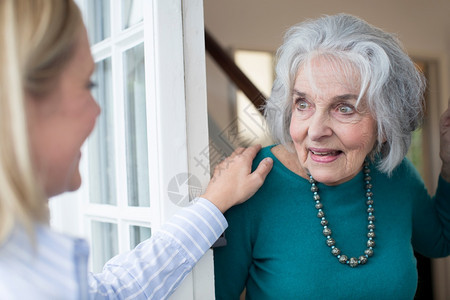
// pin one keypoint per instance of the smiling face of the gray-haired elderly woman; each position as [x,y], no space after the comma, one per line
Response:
[331,137]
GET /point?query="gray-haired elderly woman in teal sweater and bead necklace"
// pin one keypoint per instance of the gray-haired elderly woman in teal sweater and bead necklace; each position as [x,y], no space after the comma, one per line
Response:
[342,210]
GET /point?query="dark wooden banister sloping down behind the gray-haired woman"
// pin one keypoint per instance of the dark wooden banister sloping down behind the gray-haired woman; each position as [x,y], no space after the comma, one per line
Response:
[227,64]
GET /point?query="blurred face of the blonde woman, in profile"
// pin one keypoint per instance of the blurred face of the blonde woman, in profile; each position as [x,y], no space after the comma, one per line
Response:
[60,122]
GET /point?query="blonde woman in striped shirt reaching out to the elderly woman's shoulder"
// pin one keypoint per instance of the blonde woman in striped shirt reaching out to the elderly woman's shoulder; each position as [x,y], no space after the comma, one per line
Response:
[46,113]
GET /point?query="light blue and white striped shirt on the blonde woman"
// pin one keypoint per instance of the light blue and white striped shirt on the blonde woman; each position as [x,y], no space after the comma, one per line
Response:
[55,267]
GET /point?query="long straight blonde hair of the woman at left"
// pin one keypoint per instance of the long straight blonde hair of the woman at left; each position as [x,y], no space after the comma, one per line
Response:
[37,38]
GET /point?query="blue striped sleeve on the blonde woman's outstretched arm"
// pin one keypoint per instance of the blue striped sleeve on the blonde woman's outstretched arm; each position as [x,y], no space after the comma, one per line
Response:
[157,266]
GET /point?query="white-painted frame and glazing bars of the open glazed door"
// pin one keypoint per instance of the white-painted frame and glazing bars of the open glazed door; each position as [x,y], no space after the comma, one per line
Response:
[177,127]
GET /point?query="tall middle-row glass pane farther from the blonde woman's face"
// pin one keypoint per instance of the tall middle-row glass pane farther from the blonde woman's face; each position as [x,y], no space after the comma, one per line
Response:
[136,127]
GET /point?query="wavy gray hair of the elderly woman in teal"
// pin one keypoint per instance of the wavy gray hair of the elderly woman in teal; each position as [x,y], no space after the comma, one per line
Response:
[390,83]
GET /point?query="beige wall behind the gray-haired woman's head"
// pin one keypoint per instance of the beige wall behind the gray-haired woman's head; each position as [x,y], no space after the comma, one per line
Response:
[422,26]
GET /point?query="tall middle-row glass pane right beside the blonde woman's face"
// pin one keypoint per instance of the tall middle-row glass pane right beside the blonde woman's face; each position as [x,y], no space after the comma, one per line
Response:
[101,142]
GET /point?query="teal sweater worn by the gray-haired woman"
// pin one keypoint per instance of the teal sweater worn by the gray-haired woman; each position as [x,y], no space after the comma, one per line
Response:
[276,248]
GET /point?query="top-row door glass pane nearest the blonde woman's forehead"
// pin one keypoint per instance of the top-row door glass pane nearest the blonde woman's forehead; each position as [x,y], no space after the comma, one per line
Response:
[98,20]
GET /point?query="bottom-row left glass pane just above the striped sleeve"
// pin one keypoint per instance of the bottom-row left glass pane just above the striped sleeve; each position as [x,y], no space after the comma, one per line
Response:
[105,243]
